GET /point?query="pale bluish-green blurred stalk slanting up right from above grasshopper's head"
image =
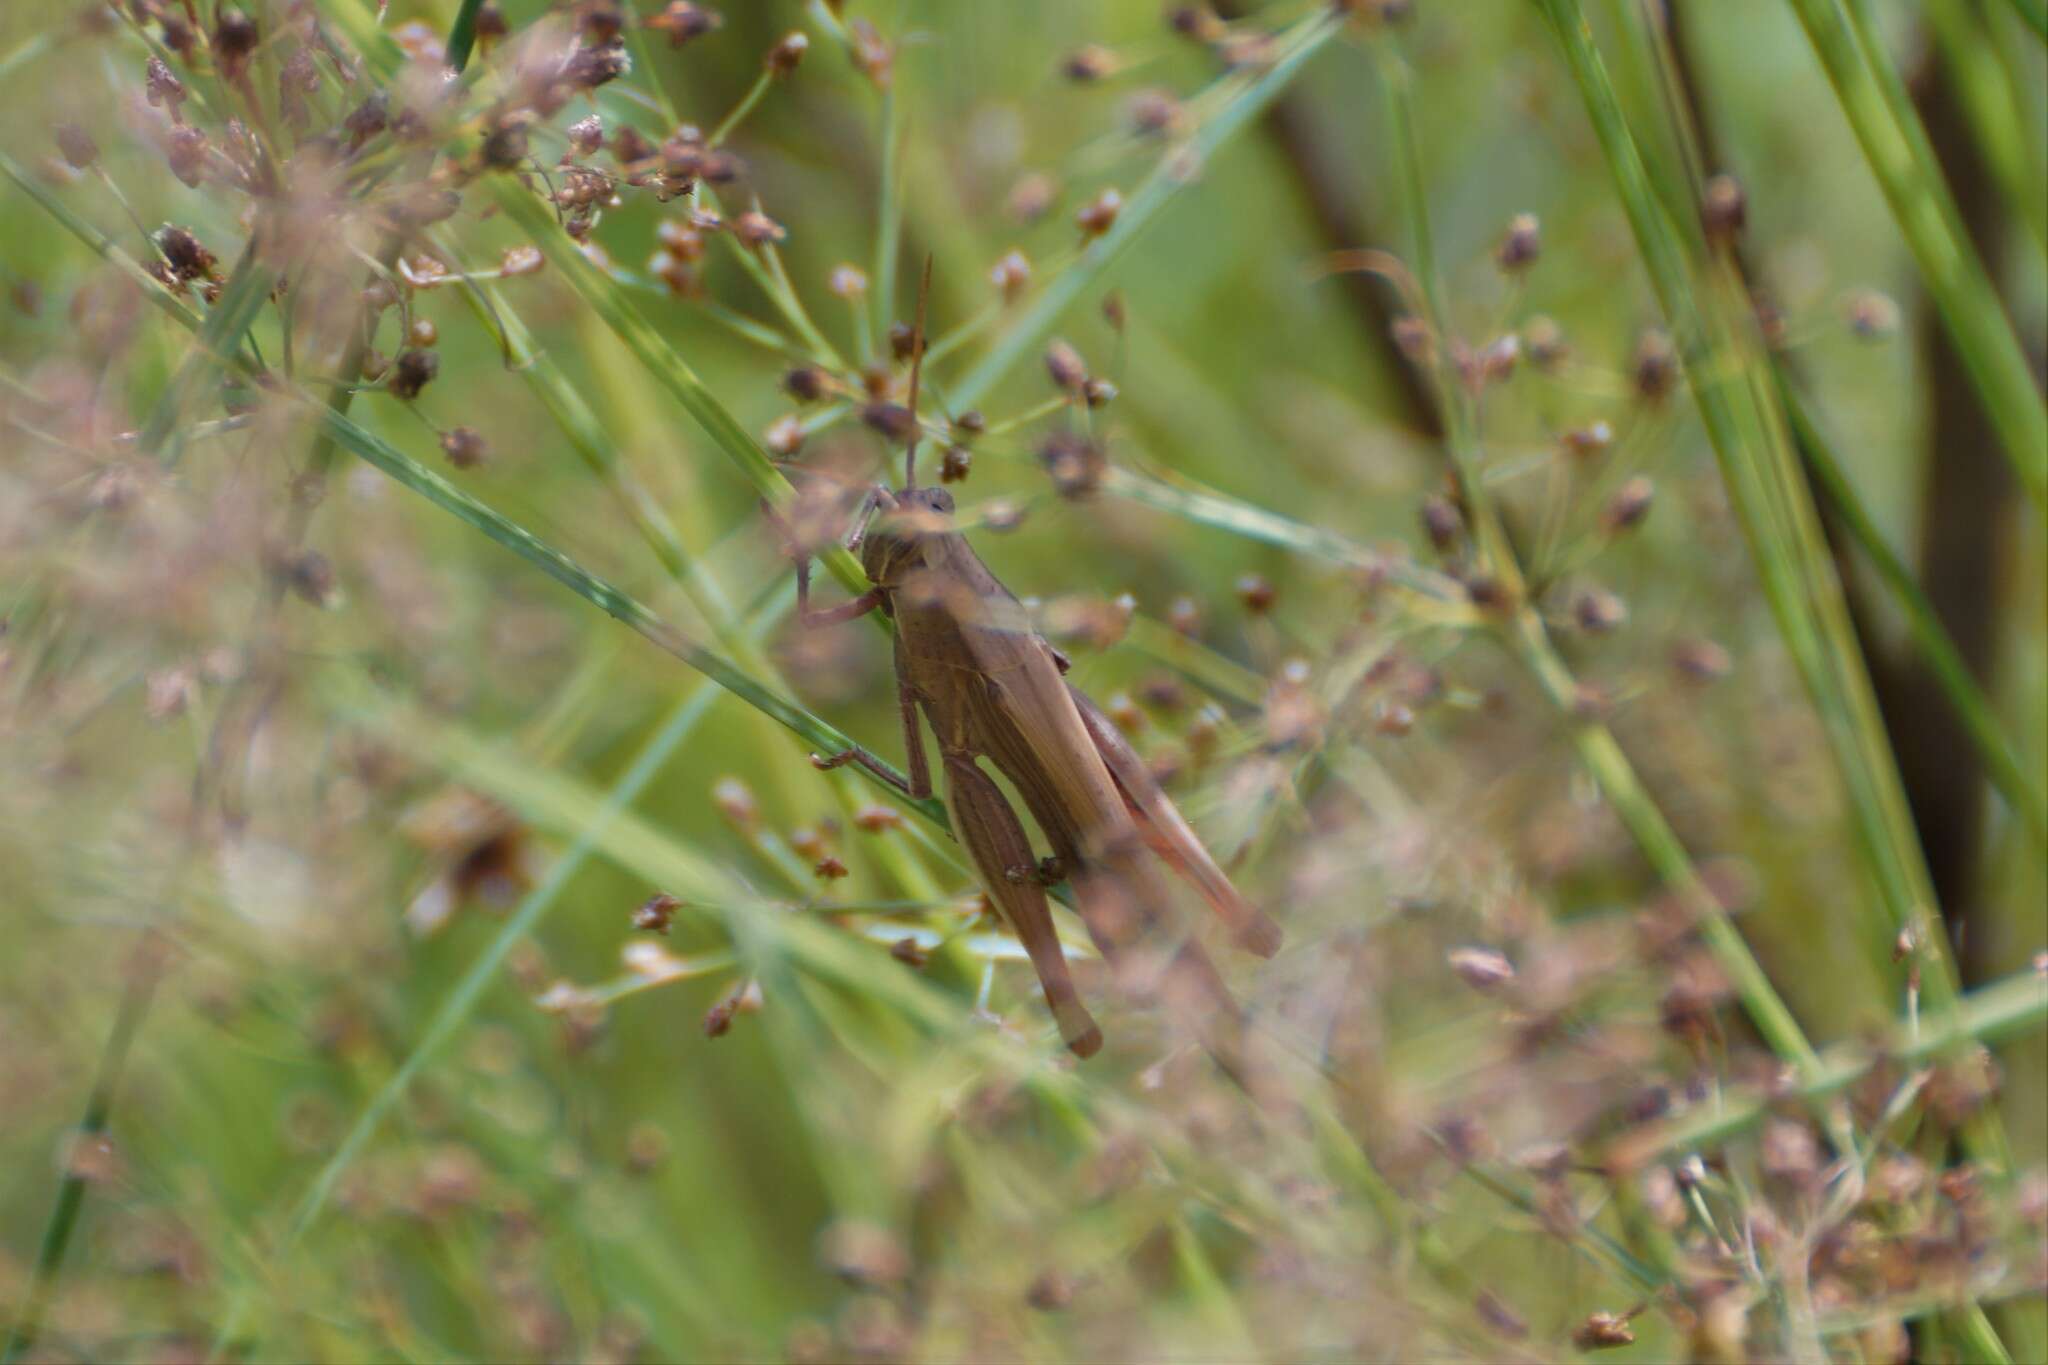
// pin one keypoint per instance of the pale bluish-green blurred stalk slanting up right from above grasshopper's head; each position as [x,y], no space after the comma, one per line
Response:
[1250,99]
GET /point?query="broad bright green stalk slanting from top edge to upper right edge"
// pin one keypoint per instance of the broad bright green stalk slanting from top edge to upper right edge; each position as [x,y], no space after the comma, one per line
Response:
[1895,144]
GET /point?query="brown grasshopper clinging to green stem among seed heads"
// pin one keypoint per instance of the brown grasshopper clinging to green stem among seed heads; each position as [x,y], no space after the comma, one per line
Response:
[992,689]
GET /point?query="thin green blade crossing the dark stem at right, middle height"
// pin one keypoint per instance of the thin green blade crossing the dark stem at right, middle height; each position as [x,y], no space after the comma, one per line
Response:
[1934,644]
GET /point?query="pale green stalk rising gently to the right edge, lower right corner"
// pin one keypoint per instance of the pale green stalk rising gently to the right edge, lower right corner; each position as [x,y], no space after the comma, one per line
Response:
[2002,1010]
